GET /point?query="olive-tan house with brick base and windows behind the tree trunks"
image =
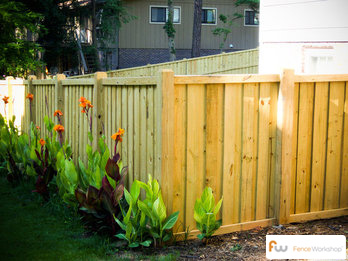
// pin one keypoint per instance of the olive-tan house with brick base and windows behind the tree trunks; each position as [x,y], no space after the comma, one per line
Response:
[143,40]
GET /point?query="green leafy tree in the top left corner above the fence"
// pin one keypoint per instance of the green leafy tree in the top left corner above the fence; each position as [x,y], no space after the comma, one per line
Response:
[18,56]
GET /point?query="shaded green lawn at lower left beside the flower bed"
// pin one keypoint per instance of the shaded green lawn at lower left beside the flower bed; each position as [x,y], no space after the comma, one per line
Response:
[31,229]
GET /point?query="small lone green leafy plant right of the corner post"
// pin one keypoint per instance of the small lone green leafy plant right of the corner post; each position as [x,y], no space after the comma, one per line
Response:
[205,214]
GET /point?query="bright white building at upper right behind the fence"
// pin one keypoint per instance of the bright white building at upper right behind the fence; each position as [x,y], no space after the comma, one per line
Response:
[310,36]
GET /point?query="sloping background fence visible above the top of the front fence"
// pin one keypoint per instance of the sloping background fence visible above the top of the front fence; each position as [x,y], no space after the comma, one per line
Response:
[226,63]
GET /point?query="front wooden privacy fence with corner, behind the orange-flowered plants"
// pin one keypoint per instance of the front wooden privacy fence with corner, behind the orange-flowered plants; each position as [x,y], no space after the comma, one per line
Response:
[275,147]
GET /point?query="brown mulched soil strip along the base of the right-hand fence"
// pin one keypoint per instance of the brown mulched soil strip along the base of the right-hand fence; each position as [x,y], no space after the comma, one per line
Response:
[246,245]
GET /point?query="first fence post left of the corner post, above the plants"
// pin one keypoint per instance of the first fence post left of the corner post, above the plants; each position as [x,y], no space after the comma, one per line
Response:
[98,110]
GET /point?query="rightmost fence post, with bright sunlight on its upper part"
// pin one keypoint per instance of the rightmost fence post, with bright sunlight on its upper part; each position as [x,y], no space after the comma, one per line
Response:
[285,138]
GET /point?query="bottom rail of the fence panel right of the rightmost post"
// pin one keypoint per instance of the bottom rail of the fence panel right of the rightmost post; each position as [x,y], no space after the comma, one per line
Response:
[331,213]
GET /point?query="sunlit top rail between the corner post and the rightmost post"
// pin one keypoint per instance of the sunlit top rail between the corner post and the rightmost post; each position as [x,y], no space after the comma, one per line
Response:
[215,79]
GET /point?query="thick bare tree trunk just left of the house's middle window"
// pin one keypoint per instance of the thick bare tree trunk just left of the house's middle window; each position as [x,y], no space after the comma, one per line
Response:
[197,26]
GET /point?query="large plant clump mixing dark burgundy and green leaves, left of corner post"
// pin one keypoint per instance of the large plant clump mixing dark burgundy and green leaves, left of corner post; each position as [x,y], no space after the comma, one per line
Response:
[102,189]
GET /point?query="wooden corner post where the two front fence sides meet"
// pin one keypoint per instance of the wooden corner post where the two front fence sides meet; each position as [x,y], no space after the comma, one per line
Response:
[167,138]
